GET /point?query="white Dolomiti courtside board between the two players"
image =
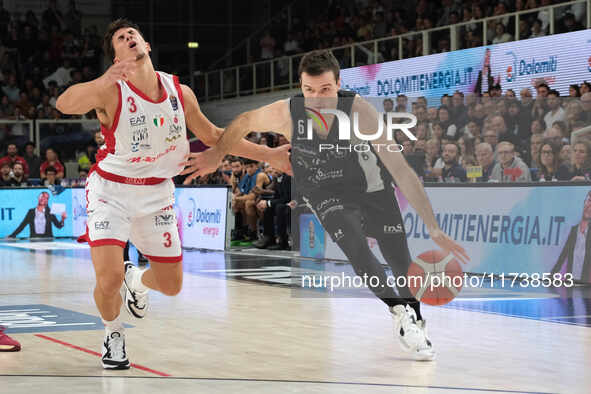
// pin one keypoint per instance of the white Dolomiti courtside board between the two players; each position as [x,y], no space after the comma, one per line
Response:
[201,217]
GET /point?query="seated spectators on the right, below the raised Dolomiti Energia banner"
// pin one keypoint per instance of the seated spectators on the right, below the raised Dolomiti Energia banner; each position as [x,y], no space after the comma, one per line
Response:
[499,137]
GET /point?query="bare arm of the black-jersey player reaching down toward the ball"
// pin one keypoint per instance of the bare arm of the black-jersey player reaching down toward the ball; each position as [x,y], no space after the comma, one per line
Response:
[406,179]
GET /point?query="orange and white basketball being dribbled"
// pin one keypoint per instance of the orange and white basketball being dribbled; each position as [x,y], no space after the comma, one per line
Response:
[435,277]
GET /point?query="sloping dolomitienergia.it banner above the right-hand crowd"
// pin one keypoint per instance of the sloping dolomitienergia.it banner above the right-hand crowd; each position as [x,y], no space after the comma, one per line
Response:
[518,65]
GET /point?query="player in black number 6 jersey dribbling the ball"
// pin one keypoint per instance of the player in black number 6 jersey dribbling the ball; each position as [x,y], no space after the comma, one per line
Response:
[350,192]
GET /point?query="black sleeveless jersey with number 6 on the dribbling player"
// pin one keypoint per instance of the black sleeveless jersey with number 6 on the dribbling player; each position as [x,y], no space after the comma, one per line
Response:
[346,170]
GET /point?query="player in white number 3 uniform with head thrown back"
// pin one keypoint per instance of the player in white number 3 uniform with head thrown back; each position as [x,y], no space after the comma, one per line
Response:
[130,194]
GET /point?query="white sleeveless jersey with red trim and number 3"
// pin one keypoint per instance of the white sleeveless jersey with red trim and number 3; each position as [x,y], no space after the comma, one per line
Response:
[148,138]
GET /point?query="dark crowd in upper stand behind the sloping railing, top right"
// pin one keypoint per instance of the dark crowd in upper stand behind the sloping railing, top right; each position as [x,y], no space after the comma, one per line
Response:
[346,22]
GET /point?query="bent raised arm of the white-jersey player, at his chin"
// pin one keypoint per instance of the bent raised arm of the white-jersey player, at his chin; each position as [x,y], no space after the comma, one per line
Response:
[84,97]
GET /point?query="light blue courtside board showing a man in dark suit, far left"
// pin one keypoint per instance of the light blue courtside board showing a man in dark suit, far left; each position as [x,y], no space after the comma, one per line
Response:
[38,212]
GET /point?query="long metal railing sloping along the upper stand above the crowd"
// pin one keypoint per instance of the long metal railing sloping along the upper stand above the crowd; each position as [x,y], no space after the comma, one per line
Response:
[281,73]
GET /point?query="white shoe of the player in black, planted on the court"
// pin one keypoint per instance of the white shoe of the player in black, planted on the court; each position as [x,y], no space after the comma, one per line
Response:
[412,334]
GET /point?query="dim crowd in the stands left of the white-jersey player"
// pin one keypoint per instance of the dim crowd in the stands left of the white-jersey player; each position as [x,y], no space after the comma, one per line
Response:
[39,58]
